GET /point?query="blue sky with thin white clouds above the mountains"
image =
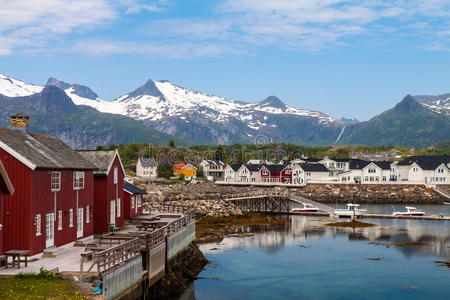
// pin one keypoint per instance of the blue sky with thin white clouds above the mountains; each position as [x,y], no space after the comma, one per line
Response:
[345,58]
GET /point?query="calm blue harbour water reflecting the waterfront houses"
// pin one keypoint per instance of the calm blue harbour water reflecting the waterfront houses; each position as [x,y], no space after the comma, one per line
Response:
[306,260]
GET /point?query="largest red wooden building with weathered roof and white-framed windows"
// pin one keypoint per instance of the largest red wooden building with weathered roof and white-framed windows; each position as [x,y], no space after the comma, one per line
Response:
[54,192]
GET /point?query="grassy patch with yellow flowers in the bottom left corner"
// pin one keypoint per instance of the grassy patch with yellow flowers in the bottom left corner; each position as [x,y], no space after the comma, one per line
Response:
[44,285]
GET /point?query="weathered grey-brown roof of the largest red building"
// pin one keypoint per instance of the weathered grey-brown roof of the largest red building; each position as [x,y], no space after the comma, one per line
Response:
[38,151]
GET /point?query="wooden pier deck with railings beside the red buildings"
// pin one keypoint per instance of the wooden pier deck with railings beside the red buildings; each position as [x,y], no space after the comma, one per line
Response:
[127,262]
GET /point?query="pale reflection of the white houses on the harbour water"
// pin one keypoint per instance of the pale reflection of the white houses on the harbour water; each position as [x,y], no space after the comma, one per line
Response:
[301,229]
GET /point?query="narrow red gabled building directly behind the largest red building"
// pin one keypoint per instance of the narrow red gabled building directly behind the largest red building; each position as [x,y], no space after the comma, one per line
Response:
[108,190]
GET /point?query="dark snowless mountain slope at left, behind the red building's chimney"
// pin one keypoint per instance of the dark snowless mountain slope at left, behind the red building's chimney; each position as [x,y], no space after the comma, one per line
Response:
[53,112]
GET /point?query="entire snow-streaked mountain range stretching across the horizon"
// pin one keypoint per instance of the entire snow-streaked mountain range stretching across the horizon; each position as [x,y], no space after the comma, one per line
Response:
[160,110]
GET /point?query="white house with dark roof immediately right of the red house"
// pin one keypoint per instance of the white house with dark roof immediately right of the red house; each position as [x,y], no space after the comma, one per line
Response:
[304,173]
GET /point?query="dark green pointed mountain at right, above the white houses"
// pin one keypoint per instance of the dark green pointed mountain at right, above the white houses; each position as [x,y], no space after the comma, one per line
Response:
[408,124]
